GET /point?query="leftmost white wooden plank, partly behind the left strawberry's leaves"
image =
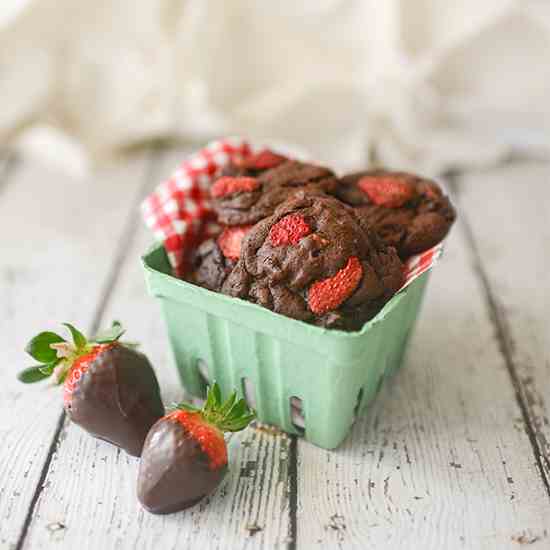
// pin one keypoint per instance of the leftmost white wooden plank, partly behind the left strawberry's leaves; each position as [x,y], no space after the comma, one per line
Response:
[60,241]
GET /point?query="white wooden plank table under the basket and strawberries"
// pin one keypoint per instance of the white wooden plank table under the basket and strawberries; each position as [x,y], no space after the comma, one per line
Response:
[455,452]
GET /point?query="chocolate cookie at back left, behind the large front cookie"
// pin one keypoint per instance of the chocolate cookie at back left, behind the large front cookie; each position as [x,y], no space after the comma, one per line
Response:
[241,199]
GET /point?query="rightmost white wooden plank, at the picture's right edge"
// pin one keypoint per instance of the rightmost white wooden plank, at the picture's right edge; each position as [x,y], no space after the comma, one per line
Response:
[515,270]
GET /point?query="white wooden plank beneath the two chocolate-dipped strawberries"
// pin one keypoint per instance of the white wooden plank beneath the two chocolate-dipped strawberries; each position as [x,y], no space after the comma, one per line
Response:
[90,479]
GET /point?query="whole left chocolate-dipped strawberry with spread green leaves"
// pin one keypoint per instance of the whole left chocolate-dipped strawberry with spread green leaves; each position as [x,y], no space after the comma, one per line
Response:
[110,389]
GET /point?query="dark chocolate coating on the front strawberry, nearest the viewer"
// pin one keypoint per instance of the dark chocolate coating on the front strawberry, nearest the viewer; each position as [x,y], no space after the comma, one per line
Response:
[174,472]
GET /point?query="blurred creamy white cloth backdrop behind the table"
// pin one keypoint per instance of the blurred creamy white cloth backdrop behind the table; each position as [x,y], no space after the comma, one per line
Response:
[430,83]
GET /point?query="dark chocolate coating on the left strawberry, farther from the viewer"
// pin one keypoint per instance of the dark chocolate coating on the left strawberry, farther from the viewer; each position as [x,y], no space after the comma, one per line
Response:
[118,398]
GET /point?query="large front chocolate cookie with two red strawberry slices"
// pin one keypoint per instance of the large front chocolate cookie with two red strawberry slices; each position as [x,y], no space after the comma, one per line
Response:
[315,260]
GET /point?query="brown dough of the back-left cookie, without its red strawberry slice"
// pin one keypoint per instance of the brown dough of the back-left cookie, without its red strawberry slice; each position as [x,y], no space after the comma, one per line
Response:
[276,185]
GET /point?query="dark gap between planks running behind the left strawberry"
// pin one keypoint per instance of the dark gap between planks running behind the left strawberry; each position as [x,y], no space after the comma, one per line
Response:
[125,243]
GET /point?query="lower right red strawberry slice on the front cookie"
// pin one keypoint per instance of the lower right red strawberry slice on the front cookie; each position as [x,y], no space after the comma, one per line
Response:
[328,294]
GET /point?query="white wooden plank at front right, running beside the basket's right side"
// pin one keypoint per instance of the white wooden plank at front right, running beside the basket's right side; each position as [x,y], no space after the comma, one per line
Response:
[442,460]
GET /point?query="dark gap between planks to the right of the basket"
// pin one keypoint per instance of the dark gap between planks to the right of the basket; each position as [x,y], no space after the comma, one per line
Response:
[503,336]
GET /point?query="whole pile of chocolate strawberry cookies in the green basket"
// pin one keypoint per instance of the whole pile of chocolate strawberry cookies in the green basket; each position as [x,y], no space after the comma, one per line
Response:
[299,240]
